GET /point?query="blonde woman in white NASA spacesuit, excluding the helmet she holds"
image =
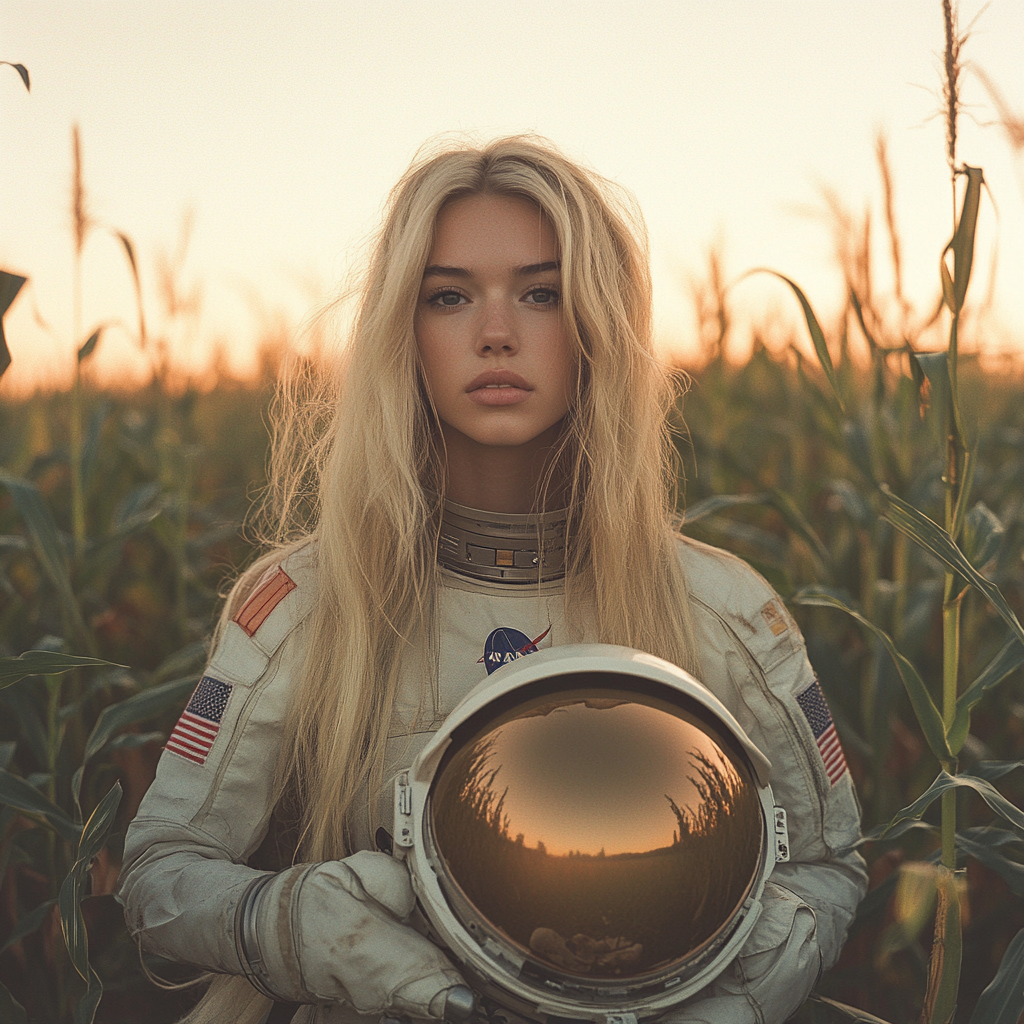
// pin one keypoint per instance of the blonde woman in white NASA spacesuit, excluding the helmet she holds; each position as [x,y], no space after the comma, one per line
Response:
[499,382]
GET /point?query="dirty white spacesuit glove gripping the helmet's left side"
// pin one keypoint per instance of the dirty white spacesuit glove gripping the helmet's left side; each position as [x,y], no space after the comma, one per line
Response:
[335,933]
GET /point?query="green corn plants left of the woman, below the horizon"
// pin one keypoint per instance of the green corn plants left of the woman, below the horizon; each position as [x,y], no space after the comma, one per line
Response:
[166,486]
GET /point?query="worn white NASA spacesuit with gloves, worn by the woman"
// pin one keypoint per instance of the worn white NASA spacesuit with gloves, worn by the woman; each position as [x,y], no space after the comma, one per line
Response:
[334,934]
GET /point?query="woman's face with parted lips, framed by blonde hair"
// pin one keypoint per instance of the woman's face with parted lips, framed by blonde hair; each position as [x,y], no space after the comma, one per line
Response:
[489,325]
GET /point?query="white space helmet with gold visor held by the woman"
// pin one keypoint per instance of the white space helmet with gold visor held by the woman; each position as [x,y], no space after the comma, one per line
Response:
[588,835]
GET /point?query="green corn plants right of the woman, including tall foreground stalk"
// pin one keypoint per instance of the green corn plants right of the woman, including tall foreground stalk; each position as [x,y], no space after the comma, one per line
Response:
[870,459]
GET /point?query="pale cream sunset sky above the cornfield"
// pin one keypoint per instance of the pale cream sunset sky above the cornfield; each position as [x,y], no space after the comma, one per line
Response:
[283,125]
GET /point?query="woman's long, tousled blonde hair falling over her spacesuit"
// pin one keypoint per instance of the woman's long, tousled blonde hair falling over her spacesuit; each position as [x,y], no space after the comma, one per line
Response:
[373,482]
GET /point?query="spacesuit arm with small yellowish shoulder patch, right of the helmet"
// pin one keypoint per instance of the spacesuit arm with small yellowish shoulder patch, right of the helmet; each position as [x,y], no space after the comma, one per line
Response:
[754,659]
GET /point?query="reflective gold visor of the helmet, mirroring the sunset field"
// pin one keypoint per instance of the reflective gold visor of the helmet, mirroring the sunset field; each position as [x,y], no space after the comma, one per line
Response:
[605,832]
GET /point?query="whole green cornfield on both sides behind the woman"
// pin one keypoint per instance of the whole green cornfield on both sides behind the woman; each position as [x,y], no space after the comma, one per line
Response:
[878,486]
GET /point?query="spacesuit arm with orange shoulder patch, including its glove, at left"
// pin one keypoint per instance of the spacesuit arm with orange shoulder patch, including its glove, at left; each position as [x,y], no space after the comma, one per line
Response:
[333,932]
